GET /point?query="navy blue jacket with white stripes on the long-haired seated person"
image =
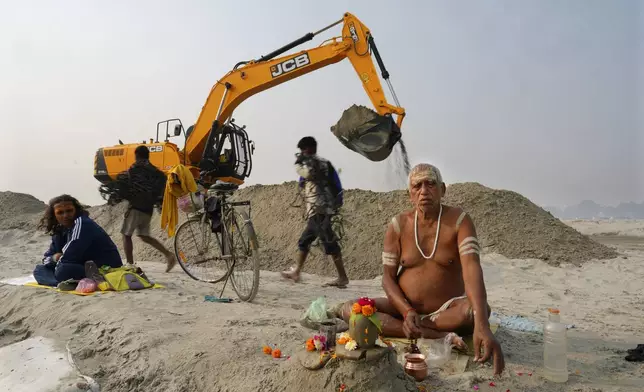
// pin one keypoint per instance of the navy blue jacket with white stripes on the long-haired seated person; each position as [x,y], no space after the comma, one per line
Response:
[85,241]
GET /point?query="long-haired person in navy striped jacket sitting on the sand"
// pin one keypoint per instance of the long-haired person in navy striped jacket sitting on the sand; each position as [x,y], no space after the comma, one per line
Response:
[75,240]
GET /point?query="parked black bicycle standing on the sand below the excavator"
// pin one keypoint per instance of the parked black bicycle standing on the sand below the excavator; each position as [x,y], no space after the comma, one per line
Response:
[235,243]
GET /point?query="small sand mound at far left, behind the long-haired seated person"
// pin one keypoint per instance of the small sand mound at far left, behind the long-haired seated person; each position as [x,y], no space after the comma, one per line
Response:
[20,210]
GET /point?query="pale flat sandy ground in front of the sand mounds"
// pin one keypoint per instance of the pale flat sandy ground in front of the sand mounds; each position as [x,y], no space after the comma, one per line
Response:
[172,340]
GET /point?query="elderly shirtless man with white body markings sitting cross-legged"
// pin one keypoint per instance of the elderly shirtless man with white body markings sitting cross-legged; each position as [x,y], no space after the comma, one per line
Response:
[432,273]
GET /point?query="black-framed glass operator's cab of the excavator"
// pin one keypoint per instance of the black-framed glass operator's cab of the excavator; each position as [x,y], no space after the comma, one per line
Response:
[230,157]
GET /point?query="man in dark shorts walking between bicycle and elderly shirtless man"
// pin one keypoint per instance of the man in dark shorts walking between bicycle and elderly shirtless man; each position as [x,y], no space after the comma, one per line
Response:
[323,194]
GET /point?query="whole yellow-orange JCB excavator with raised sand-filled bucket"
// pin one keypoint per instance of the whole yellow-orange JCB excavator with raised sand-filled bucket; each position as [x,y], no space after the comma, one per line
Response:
[218,149]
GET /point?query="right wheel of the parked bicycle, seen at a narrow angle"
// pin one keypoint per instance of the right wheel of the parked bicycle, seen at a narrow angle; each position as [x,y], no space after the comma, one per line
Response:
[244,264]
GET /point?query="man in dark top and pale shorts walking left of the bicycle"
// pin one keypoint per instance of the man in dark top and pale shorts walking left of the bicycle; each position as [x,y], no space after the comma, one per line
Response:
[143,177]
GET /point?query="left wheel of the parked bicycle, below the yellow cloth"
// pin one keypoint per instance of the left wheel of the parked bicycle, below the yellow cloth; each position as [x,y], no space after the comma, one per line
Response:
[198,251]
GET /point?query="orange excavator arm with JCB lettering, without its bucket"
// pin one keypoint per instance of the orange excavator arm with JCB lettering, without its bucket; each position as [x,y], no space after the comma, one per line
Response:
[249,78]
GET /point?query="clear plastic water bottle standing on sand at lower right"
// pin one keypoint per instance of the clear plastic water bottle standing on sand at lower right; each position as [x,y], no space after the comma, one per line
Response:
[555,346]
